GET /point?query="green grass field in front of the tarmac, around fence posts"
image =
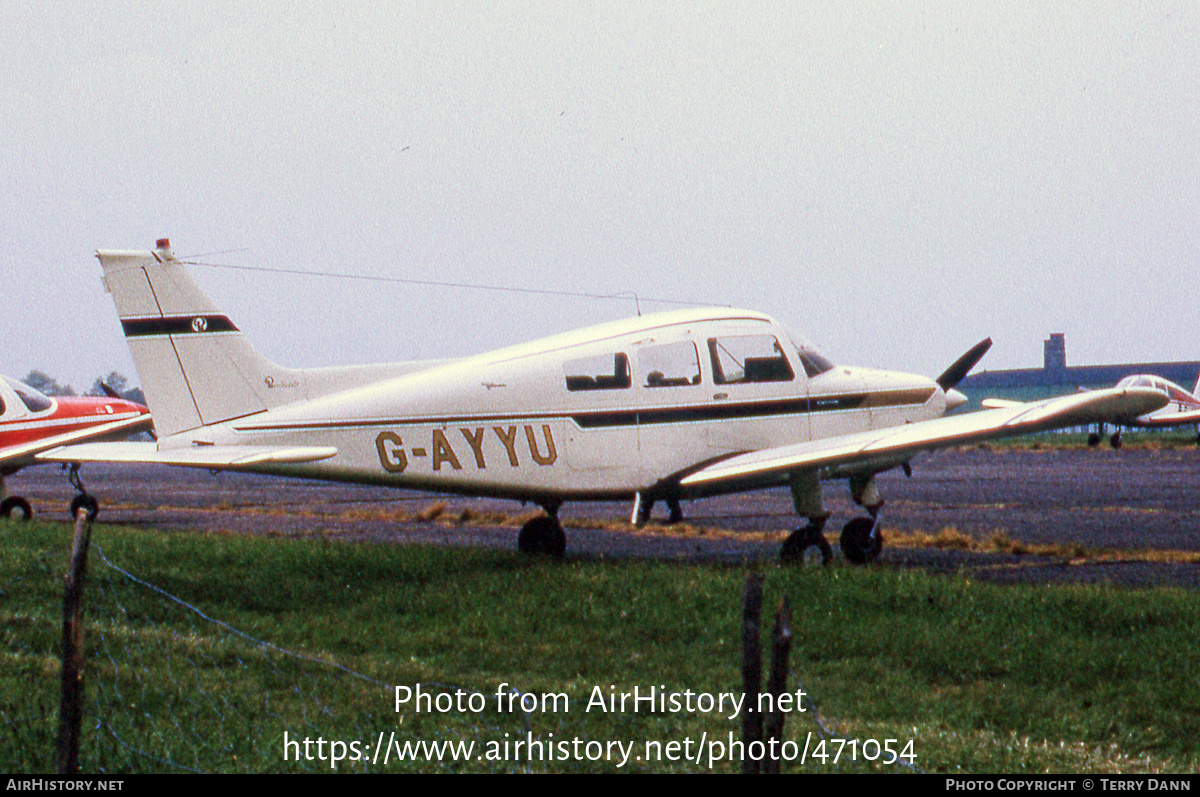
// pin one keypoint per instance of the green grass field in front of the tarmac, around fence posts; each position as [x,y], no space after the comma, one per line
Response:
[308,639]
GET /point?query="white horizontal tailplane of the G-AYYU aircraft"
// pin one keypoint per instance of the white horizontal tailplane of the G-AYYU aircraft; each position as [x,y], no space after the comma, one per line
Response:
[196,457]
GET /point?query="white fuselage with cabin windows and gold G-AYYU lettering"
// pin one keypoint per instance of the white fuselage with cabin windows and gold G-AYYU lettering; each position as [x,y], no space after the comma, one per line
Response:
[599,414]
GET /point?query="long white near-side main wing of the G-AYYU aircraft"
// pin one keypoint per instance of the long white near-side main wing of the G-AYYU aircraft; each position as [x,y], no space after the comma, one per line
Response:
[891,447]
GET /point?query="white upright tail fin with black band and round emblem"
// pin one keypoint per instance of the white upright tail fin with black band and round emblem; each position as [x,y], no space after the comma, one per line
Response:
[196,367]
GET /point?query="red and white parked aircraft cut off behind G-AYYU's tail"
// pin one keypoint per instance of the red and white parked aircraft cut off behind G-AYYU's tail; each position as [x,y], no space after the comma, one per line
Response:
[32,423]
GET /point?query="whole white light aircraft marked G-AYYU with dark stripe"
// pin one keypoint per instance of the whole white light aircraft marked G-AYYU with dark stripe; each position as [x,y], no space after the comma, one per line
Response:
[677,405]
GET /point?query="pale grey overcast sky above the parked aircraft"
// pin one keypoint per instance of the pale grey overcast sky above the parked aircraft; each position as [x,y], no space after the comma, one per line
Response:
[895,182]
